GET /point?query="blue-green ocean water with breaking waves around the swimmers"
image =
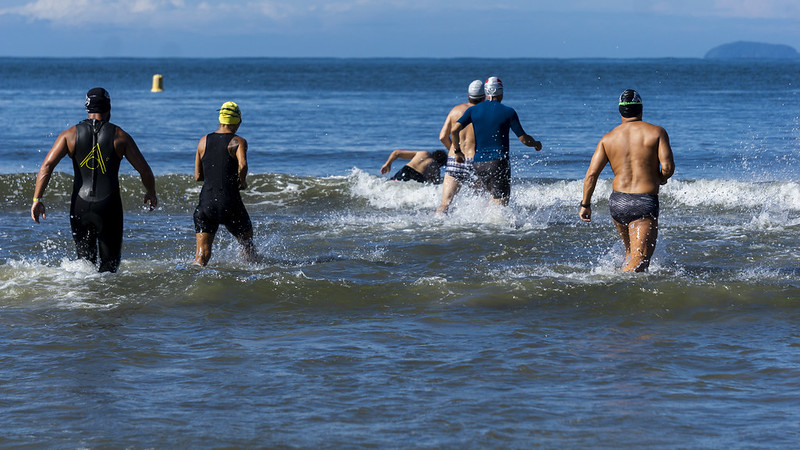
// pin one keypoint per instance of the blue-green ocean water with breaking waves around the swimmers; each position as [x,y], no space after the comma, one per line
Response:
[371,322]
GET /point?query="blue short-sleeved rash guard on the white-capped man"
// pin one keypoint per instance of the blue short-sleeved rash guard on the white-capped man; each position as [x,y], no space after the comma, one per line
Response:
[491,121]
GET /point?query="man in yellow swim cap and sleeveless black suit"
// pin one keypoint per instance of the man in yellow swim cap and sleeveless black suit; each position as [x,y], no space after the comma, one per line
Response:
[221,164]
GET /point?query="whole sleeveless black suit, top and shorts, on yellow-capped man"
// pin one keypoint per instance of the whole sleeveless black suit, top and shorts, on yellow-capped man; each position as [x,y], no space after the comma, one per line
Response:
[220,201]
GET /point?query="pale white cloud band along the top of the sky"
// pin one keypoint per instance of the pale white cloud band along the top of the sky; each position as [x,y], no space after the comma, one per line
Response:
[189,14]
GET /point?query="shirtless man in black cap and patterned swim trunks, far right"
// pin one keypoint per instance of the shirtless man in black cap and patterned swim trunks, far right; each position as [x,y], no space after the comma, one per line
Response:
[641,159]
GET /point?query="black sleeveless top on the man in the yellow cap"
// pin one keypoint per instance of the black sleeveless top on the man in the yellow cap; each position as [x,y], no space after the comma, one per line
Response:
[220,170]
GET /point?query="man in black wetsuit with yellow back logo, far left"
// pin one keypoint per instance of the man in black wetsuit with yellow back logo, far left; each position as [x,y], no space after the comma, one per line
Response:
[96,147]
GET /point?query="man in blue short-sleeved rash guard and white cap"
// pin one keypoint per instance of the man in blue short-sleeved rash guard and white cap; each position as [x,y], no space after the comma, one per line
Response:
[492,122]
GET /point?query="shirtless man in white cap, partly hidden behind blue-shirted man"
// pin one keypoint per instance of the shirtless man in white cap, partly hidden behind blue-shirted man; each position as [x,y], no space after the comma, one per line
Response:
[458,173]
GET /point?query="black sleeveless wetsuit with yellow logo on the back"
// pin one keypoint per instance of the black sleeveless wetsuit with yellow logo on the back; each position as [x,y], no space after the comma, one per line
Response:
[96,211]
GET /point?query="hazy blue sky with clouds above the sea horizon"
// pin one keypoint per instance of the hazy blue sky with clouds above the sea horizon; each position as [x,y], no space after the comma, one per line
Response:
[390,28]
